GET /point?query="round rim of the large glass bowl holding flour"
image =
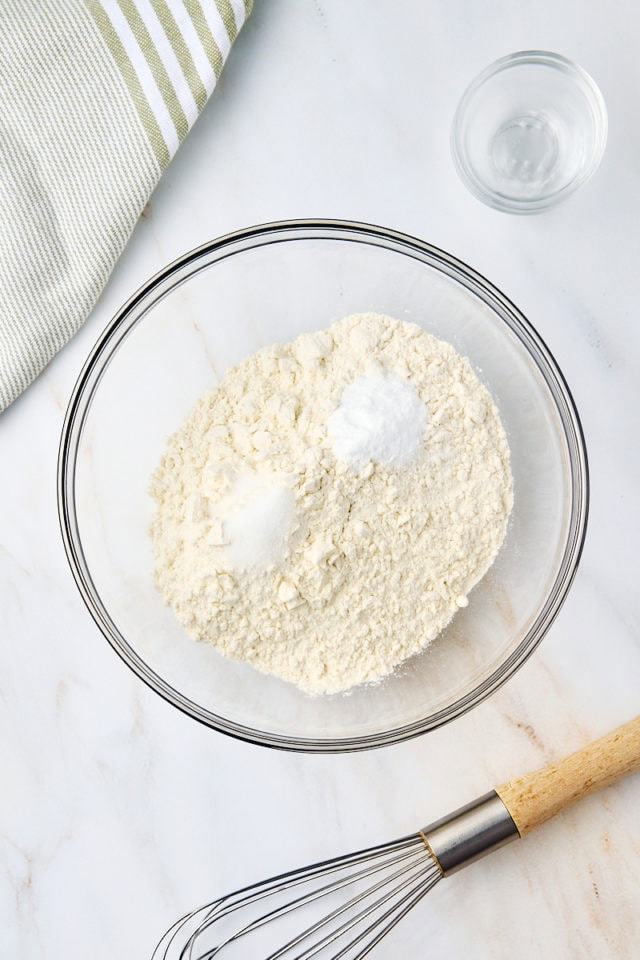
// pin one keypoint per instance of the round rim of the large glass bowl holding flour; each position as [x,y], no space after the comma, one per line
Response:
[328,229]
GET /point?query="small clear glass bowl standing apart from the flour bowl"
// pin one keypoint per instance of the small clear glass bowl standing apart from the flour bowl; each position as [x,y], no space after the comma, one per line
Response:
[528,131]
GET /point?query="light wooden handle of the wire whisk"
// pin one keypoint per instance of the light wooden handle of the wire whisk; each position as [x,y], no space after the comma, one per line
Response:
[535,798]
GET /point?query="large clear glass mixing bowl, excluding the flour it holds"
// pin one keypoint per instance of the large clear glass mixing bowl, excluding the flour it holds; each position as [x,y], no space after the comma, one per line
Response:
[177,336]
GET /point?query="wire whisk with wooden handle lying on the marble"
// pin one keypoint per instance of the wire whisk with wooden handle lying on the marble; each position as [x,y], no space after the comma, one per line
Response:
[340,909]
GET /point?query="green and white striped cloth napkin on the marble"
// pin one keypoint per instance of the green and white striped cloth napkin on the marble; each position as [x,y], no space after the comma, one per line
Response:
[95,98]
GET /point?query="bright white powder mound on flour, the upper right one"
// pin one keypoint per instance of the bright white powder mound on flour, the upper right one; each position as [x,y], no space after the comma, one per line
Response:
[380,418]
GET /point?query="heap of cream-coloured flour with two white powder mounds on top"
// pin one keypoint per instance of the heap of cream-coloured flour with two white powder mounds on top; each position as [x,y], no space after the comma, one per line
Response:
[296,531]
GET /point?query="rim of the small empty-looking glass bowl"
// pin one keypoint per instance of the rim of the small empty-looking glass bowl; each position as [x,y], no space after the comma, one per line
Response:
[555,61]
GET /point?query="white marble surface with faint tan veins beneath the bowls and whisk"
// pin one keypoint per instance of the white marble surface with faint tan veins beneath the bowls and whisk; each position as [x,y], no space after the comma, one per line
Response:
[117,812]
